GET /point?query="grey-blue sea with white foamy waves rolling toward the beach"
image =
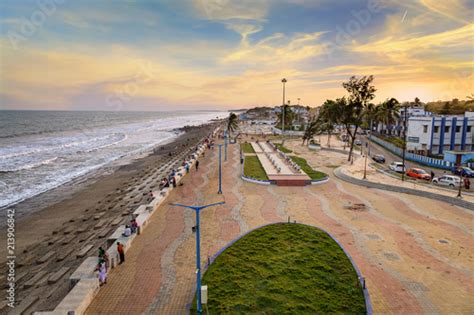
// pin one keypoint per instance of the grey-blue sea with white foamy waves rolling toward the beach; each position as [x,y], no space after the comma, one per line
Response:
[41,150]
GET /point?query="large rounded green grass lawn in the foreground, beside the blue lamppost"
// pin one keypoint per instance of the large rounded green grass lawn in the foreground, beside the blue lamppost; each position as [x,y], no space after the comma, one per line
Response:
[283,269]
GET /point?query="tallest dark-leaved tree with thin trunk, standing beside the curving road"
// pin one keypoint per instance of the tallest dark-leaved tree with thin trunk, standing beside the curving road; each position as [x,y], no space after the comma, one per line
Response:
[361,92]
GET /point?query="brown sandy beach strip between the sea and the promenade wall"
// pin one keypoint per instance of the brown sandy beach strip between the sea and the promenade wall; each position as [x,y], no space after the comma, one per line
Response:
[70,220]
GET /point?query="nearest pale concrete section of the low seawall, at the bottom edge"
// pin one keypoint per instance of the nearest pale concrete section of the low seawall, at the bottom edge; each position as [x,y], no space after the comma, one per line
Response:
[77,300]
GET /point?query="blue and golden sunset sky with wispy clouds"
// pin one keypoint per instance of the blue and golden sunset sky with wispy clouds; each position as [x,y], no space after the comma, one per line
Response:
[228,54]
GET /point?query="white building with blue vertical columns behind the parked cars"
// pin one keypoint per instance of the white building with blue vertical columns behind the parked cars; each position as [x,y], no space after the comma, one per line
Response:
[436,134]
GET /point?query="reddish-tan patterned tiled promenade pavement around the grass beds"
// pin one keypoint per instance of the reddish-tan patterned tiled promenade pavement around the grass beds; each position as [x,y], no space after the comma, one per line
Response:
[416,254]
